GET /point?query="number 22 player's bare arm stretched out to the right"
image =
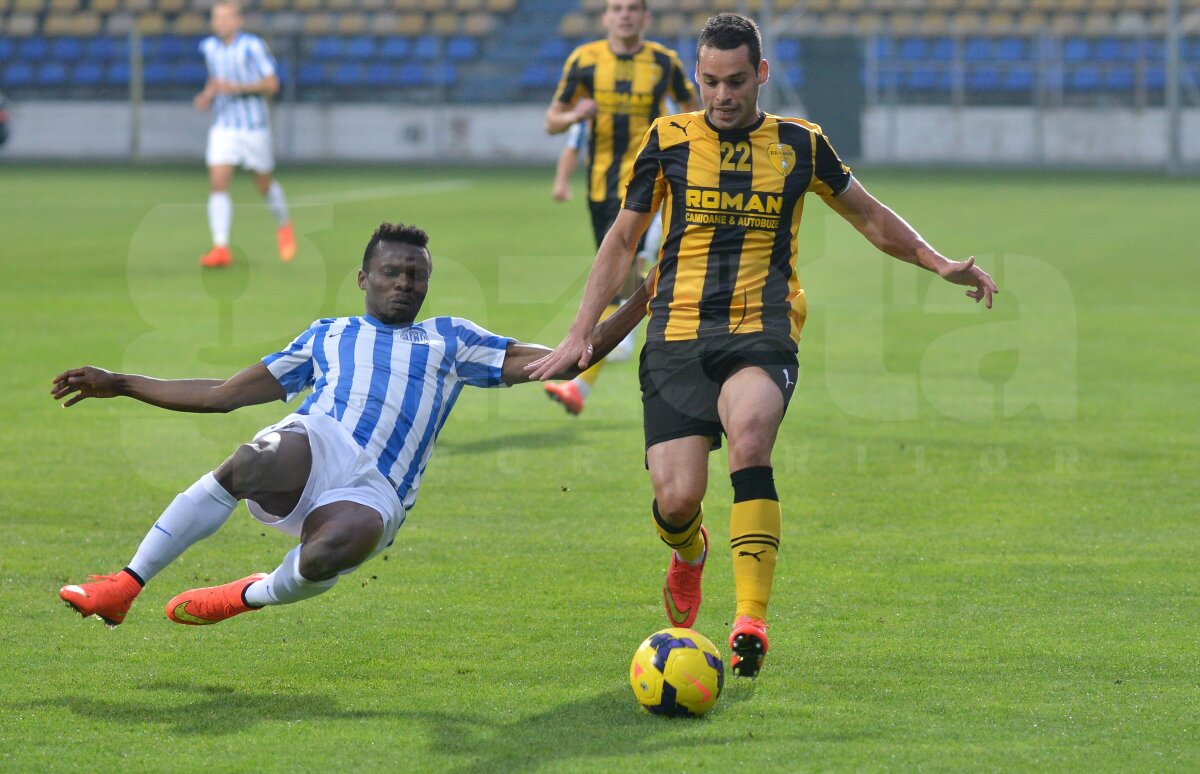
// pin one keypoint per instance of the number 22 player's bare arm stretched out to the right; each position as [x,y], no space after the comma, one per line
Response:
[892,235]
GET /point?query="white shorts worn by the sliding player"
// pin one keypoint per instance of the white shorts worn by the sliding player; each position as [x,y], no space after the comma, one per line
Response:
[341,472]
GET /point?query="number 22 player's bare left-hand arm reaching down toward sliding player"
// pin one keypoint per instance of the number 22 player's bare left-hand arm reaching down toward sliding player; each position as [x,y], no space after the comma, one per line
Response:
[608,273]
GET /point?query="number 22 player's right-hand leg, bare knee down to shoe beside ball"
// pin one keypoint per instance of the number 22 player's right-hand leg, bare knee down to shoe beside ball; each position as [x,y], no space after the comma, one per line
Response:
[752,409]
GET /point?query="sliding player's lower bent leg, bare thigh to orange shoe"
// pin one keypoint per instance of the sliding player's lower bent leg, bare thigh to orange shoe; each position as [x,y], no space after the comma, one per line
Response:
[337,539]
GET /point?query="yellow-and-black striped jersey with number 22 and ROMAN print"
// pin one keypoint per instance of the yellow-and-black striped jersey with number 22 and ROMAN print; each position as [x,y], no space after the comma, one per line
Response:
[731,208]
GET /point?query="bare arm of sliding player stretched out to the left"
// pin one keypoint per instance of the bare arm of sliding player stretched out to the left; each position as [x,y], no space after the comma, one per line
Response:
[249,387]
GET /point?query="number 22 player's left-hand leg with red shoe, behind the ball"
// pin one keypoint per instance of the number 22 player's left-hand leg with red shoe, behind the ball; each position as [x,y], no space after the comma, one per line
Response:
[680,476]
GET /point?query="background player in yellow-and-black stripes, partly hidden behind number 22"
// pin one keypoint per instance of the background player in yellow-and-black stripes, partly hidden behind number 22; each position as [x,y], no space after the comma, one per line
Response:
[620,86]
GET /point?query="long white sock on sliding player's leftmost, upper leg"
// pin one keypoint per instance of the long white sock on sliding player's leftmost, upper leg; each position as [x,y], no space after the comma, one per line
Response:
[191,518]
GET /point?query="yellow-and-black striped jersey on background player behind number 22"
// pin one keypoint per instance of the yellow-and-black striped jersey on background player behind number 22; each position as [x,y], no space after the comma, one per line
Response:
[629,91]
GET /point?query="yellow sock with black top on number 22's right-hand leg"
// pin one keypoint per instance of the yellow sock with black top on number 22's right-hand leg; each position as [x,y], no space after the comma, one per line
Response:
[755,527]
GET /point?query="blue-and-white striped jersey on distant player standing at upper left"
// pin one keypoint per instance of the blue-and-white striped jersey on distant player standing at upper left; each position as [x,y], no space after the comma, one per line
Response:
[244,61]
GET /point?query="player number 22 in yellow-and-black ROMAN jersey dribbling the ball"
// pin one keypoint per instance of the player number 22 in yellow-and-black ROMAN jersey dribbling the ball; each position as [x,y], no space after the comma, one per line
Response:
[728,310]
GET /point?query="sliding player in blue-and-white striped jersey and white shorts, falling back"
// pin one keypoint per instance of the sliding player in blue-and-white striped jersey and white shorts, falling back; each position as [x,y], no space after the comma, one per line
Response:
[343,471]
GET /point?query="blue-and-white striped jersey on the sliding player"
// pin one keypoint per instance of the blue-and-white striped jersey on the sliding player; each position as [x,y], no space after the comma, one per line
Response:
[391,387]
